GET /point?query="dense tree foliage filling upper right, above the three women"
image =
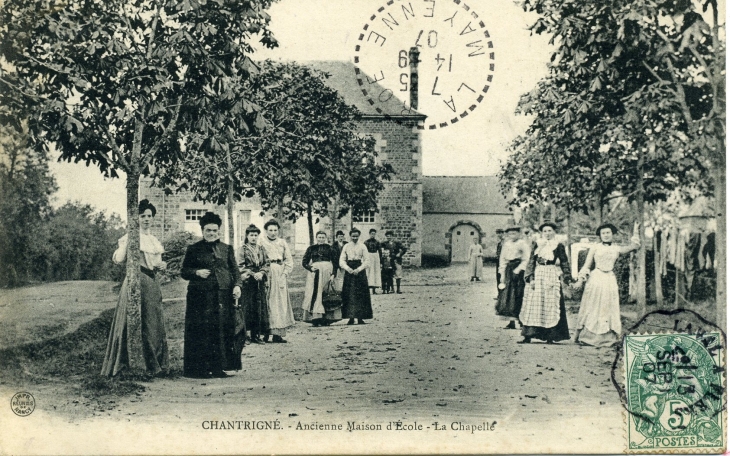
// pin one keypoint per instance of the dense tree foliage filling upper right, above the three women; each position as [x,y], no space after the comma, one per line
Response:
[604,103]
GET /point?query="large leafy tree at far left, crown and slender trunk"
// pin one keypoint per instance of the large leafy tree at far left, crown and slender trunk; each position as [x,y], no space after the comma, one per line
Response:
[122,85]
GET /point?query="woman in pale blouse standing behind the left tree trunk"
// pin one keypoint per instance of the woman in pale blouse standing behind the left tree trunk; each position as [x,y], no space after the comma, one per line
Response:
[154,336]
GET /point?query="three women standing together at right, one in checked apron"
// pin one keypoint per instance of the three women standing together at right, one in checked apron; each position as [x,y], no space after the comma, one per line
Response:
[531,288]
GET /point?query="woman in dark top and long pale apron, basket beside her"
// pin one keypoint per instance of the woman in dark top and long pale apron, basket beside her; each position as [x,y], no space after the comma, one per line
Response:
[320,260]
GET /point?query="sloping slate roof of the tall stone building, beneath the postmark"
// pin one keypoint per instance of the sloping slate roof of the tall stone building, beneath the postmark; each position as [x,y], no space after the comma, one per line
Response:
[344,80]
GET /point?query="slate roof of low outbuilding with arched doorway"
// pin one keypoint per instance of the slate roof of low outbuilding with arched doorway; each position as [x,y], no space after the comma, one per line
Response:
[463,195]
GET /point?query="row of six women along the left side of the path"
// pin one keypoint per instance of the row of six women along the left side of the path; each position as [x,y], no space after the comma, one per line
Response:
[229,294]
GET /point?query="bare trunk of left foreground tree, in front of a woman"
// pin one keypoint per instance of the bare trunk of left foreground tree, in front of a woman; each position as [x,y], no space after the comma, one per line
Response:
[134,309]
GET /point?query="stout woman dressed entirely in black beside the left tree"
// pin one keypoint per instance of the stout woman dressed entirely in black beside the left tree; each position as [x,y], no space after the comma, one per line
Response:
[212,339]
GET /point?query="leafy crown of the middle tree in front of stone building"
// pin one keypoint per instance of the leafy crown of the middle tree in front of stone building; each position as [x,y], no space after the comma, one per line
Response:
[307,154]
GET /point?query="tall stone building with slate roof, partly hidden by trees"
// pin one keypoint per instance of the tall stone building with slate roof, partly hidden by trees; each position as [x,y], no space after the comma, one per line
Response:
[398,142]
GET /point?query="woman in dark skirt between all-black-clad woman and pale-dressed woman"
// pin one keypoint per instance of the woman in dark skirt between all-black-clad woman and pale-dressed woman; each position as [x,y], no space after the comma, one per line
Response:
[254,267]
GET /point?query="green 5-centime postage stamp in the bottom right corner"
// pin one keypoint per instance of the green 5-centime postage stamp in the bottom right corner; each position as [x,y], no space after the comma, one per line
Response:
[675,393]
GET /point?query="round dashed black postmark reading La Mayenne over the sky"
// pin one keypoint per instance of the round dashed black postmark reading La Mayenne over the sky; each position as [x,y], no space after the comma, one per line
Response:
[428,58]
